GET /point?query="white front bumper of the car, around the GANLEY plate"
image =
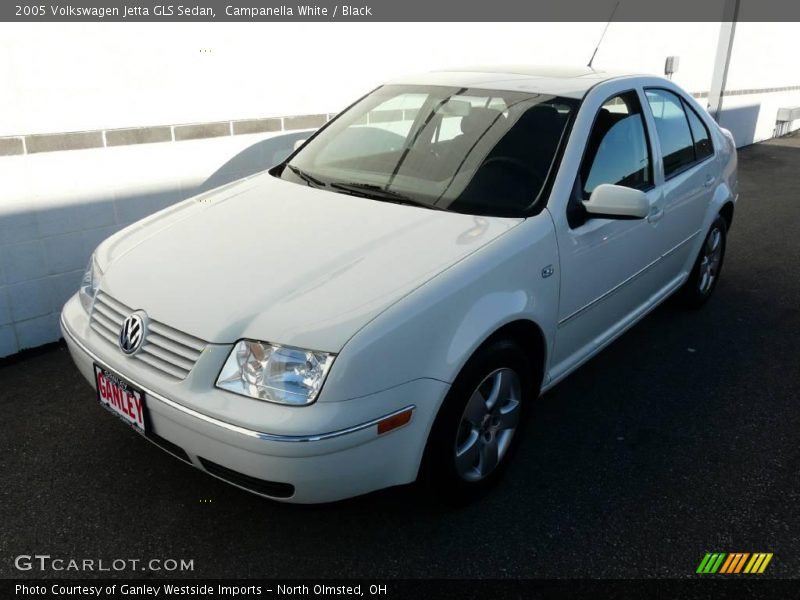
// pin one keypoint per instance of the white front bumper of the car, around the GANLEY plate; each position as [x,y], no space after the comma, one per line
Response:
[320,453]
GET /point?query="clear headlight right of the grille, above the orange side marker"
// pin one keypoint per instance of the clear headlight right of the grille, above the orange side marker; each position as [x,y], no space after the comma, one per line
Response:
[274,373]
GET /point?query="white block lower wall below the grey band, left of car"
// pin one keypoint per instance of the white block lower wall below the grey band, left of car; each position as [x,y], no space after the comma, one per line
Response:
[57,206]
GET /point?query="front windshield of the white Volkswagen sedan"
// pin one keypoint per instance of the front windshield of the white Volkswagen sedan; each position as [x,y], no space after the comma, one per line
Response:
[475,151]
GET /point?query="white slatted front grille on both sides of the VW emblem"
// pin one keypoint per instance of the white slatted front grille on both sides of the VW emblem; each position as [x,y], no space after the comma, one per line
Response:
[165,349]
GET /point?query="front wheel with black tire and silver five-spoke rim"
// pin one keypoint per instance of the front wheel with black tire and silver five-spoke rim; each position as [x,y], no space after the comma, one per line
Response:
[479,424]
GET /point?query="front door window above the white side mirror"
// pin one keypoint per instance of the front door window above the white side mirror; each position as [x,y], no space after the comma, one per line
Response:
[617,151]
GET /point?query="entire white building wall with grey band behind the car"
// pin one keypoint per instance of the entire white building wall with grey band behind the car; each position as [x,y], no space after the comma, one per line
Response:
[215,79]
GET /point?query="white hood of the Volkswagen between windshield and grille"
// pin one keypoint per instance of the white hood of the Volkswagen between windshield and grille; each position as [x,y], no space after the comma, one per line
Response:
[276,261]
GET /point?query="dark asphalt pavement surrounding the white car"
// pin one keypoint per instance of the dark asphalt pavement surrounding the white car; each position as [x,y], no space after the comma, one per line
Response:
[680,439]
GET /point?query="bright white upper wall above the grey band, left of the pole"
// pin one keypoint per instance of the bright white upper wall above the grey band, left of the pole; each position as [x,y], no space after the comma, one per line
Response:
[79,76]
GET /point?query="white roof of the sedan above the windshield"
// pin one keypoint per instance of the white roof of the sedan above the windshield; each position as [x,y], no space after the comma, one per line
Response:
[572,82]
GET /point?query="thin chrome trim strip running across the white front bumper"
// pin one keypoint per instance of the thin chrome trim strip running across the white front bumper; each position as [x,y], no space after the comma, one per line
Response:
[269,437]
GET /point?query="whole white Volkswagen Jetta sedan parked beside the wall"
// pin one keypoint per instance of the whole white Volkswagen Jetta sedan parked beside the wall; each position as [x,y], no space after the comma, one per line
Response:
[382,306]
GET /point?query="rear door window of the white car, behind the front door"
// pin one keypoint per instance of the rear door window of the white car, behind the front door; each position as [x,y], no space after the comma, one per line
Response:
[673,130]
